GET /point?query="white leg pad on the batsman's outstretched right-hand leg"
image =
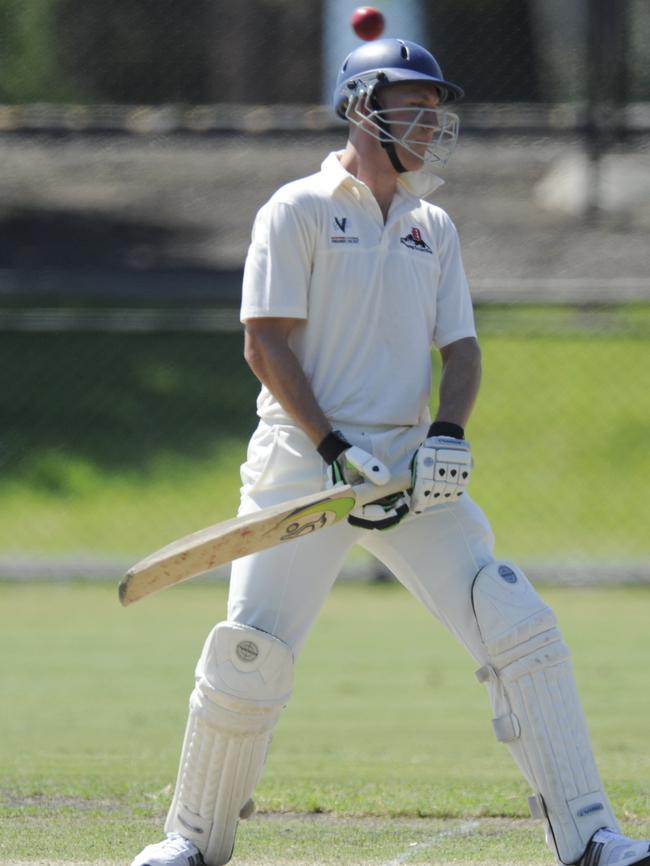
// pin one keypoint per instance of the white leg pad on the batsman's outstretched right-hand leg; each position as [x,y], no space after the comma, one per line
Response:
[537,711]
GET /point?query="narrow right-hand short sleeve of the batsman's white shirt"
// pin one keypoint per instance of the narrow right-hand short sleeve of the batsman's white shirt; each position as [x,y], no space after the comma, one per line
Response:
[454,313]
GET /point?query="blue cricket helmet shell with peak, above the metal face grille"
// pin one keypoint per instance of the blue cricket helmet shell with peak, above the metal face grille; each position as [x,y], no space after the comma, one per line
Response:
[389,61]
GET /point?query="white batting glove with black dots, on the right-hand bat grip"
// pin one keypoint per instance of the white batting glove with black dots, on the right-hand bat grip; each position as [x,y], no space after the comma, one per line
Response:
[440,472]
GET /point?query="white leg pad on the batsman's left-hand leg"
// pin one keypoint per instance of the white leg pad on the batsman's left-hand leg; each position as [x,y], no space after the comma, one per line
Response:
[243,679]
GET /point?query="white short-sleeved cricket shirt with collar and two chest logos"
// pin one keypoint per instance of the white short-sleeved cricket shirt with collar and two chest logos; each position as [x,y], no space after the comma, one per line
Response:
[374,297]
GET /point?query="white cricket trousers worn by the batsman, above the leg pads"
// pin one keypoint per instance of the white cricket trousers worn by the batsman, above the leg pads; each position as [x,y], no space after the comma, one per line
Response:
[435,555]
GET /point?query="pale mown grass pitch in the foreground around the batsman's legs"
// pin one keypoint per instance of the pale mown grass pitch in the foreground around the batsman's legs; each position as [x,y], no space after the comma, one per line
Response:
[385,754]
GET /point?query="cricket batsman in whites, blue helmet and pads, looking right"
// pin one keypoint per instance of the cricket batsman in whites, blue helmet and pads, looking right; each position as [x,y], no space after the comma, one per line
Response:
[352,277]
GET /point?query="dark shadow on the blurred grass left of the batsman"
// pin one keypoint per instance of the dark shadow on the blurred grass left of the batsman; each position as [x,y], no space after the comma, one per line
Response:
[121,400]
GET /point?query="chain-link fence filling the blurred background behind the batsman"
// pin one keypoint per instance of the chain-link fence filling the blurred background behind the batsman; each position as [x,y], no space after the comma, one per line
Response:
[125,404]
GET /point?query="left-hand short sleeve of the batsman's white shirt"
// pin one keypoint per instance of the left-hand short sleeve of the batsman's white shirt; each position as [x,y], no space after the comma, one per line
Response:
[278,265]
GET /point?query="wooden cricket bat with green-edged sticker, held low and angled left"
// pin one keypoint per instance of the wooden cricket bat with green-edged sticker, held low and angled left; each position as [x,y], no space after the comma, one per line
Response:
[221,543]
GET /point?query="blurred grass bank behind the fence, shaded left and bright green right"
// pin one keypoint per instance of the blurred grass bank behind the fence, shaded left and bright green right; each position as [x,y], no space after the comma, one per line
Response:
[118,443]
